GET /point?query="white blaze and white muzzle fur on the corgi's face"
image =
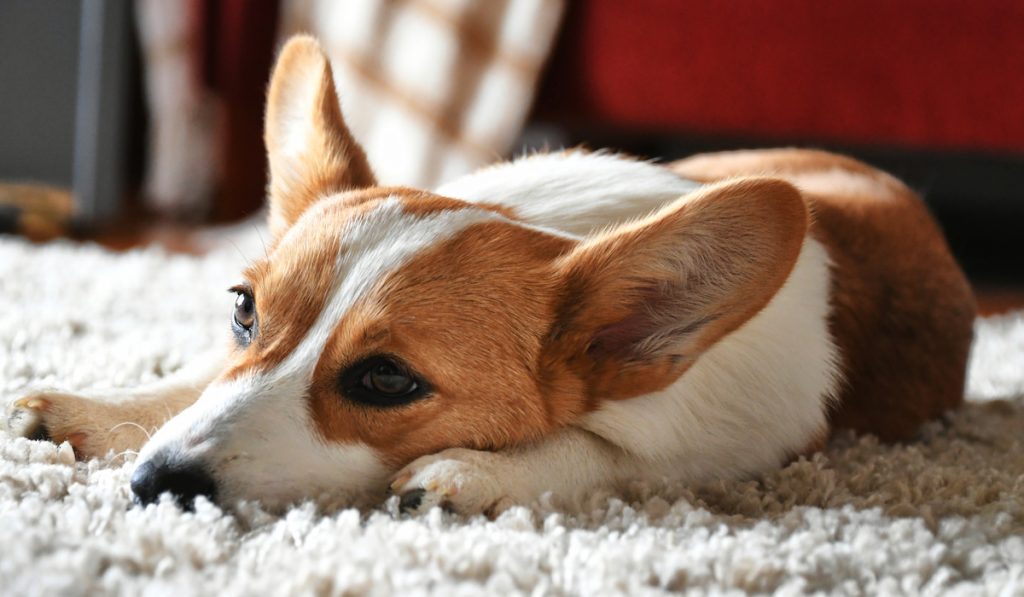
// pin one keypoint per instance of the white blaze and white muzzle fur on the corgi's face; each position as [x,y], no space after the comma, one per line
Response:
[261,420]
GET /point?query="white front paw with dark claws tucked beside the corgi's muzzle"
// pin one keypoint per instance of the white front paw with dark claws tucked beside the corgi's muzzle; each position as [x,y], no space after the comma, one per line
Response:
[466,482]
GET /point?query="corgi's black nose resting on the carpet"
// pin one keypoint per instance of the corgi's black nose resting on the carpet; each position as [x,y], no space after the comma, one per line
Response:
[185,481]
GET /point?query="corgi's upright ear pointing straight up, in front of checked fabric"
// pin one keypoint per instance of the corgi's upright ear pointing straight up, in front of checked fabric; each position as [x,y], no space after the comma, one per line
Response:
[311,151]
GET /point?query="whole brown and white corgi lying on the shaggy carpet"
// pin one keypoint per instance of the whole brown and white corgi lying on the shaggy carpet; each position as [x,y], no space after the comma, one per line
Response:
[562,323]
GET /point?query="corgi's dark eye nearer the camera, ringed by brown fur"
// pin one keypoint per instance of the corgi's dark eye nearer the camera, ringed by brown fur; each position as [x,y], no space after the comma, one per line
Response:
[381,381]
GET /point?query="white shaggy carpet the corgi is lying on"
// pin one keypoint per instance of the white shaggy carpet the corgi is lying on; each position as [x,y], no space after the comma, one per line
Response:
[943,515]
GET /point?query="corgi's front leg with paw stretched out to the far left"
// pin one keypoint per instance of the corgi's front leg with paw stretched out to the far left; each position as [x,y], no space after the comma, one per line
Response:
[97,423]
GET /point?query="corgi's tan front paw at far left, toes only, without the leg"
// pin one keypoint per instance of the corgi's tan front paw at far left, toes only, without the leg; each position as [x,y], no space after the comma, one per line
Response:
[84,423]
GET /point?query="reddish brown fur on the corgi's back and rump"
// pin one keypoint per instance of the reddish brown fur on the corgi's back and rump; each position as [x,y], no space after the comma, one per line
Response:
[903,311]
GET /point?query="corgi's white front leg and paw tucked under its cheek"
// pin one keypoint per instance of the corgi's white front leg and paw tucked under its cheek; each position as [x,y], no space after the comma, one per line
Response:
[470,482]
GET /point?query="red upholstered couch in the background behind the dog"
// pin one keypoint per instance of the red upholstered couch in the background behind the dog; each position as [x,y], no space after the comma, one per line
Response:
[943,75]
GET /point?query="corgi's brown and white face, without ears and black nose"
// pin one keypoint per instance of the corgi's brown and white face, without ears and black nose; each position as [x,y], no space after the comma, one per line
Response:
[385,325]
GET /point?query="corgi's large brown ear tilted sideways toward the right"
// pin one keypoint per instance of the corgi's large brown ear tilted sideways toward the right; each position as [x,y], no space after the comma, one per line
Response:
[643,303]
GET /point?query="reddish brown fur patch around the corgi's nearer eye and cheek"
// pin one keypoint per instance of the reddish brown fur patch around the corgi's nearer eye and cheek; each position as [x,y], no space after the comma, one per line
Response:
[471,316]
